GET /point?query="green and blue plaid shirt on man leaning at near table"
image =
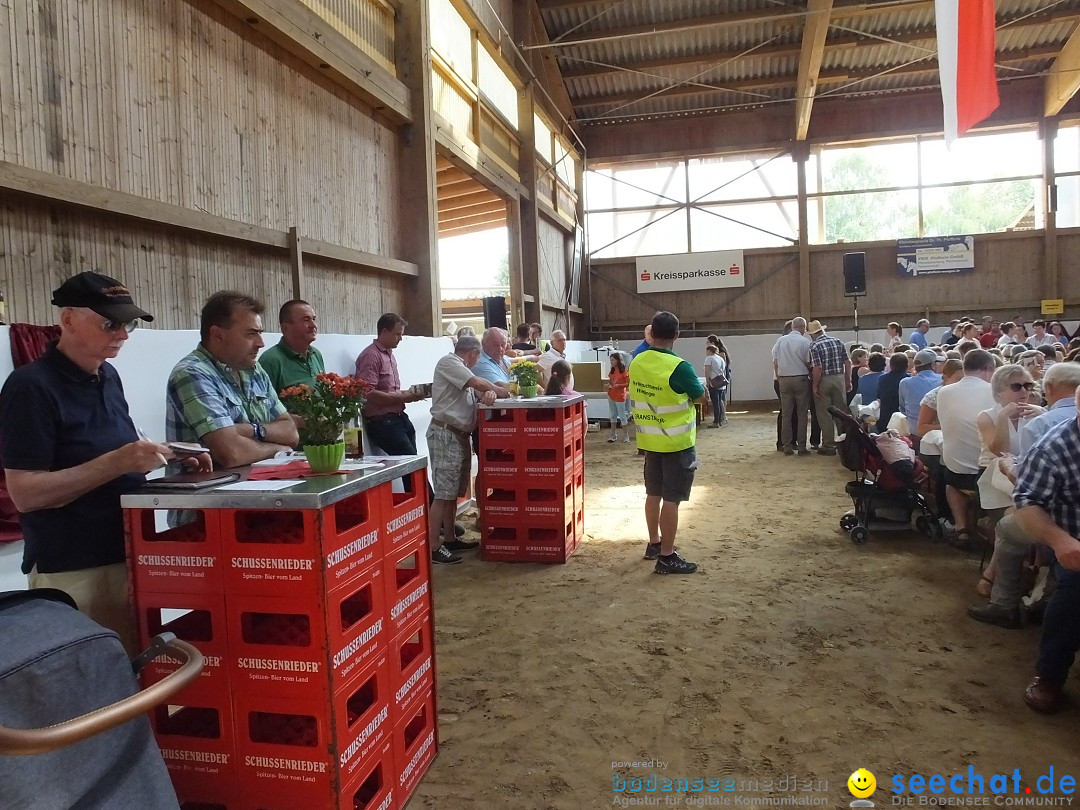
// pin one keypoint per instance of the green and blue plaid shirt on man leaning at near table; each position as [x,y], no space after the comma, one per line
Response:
[204,396]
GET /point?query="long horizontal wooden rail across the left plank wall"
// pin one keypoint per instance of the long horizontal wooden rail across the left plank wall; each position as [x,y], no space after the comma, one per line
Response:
[64,191]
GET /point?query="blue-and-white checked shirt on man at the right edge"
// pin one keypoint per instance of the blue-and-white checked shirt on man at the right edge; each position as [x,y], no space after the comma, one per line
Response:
[1049,477]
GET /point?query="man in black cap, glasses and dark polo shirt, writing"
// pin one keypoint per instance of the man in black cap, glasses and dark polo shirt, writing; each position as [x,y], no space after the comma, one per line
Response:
[71,451]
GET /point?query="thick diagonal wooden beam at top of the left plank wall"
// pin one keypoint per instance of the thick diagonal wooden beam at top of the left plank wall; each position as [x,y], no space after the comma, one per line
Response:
[302,32]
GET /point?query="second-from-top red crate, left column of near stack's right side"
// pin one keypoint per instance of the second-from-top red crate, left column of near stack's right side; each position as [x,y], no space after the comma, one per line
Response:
[358,625]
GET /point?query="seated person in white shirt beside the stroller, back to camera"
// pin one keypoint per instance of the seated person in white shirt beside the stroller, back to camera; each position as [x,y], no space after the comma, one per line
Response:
[958,409]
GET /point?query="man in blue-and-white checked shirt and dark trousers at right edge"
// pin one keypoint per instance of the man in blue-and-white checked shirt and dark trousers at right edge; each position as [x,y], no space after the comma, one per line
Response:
[1048,507]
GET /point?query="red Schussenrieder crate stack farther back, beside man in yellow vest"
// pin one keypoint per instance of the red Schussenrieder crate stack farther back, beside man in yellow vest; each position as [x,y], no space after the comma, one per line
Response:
[533,468]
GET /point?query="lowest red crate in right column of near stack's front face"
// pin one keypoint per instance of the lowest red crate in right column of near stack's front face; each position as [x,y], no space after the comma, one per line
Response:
[286,754]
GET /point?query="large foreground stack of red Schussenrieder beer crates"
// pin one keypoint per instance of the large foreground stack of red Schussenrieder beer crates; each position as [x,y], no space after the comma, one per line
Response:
[317,626]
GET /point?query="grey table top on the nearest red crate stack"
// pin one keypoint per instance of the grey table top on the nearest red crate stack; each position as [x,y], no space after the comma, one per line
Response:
[315,493]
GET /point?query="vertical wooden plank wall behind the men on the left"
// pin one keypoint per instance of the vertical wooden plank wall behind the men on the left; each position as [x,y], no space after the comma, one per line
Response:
[180,102]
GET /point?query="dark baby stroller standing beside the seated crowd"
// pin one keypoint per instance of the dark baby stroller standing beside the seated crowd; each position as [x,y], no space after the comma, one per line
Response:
[884,499]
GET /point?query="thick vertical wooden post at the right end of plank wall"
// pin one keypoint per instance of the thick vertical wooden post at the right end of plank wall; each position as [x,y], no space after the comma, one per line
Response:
[420,214]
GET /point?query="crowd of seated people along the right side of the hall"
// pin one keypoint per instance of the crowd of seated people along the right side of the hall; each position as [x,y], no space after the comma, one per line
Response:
[992,411]
